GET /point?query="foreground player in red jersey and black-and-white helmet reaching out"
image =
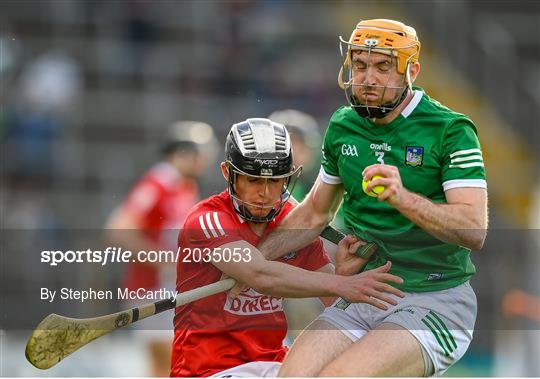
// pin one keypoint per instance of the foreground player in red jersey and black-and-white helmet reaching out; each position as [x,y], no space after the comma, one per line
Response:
[243,336]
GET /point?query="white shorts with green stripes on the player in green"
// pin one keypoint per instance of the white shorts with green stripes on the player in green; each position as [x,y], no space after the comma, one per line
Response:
[442,321]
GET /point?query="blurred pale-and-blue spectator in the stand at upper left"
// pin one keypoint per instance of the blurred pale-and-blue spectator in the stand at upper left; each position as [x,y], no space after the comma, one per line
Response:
[47,89]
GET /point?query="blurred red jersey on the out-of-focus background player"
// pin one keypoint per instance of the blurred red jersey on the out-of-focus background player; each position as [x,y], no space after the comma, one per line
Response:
[162,200]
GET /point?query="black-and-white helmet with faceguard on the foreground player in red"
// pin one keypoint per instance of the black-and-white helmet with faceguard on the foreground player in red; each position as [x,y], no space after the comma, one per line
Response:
[260,148]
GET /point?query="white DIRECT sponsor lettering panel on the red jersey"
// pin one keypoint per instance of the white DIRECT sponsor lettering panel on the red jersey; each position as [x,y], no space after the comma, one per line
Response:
[252,303]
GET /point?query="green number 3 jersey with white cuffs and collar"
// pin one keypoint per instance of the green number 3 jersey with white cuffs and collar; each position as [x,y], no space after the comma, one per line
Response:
[434,149]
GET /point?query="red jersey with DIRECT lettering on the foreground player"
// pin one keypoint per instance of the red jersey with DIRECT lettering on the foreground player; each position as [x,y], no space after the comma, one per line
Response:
[217,333]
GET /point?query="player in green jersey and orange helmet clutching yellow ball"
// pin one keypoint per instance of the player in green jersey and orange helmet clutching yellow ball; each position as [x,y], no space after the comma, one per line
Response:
[431,214]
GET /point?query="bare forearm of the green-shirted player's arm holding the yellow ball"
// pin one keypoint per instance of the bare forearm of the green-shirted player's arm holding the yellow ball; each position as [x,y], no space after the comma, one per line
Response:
[451,223]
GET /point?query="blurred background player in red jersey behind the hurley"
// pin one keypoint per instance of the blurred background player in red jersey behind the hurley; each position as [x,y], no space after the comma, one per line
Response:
[150,217]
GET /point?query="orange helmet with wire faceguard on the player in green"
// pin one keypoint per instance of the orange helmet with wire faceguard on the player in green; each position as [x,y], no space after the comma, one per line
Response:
[380,36]
